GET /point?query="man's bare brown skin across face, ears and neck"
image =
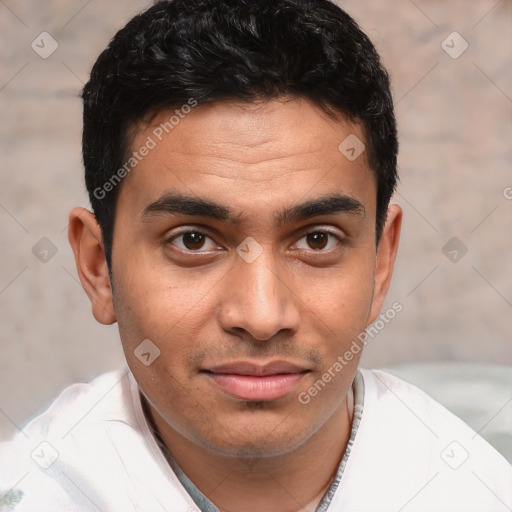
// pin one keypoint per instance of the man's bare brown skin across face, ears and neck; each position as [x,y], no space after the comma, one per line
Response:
[303,300]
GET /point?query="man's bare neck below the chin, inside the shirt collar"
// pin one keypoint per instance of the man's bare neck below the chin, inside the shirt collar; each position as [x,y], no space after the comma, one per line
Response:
[285,483]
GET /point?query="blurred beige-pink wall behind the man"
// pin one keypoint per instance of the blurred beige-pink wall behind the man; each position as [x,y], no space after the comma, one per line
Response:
[451,67]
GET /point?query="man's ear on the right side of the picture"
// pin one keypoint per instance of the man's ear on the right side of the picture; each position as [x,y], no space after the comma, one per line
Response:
[386,255]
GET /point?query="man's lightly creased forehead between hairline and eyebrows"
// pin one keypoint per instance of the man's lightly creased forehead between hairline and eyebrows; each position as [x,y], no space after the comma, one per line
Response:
[263,152]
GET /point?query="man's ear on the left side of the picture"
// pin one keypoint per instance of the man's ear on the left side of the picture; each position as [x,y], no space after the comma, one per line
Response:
[84,235]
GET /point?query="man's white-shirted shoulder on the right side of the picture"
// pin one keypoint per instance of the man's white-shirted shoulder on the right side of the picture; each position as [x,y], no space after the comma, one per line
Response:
[420,456]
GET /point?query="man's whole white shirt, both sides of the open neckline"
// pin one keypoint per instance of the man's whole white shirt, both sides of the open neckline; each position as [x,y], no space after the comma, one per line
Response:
[93,450]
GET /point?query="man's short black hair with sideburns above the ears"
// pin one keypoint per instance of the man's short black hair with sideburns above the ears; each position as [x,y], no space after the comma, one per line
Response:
[202,51]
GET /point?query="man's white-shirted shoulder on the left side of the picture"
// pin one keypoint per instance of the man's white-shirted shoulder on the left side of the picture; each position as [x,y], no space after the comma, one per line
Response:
[91,449]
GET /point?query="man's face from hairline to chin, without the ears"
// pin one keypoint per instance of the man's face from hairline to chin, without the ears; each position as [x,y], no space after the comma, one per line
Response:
[244,249]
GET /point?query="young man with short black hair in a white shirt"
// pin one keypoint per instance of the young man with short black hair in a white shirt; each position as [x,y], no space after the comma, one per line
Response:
[240,157]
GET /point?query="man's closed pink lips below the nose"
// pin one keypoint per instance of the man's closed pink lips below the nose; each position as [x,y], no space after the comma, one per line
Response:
[255,382]
